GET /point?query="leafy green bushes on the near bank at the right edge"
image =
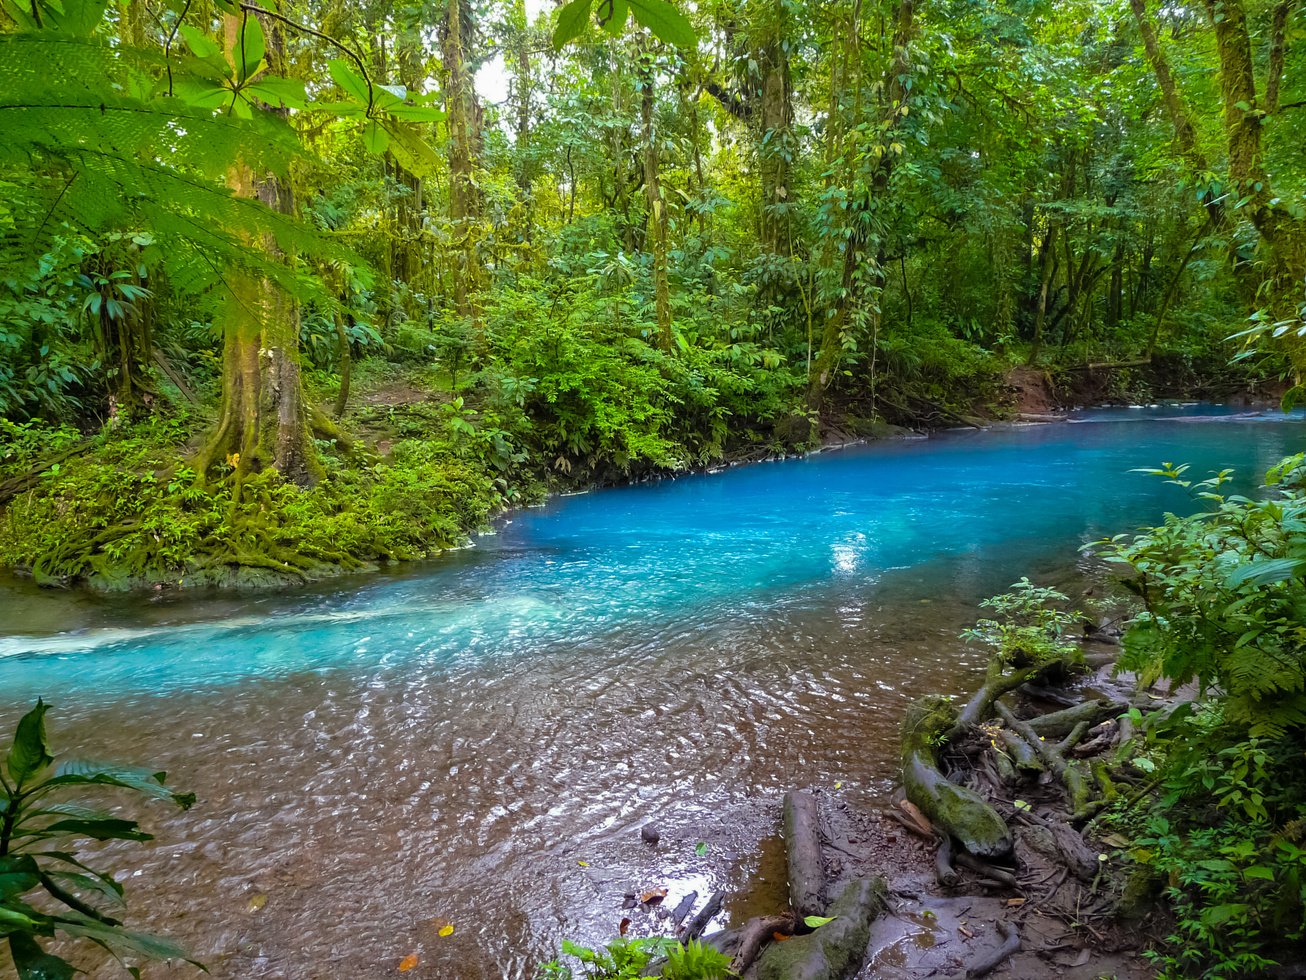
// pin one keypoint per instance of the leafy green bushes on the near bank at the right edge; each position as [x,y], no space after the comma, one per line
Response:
[1224,596]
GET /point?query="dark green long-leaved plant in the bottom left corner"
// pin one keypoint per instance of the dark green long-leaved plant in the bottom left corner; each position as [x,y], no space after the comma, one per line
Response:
[39,858]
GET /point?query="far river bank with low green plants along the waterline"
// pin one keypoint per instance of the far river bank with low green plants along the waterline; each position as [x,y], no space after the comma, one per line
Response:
[424,475]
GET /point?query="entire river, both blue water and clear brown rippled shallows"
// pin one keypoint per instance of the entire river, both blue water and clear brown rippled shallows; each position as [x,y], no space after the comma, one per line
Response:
[477,740]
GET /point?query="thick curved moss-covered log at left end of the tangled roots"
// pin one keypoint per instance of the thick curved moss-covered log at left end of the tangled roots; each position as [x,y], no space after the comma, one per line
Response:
[954,809]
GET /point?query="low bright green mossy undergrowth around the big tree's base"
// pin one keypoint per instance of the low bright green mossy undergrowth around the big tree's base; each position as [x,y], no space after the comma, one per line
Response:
[131,514]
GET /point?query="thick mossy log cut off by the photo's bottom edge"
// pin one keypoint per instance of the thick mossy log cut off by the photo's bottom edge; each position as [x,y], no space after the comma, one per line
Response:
[838,949]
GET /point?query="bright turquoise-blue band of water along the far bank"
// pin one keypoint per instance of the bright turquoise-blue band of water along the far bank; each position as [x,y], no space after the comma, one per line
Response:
[963,513]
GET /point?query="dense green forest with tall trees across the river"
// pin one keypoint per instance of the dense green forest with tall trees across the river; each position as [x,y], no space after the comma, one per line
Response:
[283,267]
